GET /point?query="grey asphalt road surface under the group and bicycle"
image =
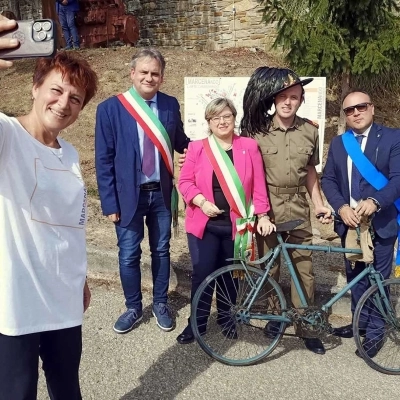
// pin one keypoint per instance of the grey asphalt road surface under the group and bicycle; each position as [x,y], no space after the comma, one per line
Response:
[148,364]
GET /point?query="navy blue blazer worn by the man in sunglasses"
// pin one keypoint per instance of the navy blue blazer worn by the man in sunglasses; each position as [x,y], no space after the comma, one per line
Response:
[383,150]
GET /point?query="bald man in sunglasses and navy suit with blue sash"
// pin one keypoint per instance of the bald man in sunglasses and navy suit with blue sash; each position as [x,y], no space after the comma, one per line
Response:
[352,197]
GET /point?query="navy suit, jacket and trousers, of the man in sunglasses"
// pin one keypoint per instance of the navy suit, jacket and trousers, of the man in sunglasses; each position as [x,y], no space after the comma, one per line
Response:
[383,150]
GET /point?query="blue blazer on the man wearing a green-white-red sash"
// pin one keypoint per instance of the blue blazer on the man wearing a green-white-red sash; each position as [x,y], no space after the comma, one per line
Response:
[117,155]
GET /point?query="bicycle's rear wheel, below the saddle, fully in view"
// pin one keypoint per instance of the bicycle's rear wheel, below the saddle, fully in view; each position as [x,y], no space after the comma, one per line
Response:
[224,324]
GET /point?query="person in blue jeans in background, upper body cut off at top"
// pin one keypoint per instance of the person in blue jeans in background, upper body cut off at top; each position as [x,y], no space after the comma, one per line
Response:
[66,10]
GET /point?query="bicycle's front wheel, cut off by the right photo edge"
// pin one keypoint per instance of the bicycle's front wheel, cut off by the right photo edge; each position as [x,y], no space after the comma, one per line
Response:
[382,325]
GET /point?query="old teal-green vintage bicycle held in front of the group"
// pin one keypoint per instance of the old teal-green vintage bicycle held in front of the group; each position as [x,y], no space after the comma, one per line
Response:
[233,305]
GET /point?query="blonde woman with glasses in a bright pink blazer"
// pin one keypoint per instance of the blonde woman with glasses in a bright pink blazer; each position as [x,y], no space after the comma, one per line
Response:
[209,191]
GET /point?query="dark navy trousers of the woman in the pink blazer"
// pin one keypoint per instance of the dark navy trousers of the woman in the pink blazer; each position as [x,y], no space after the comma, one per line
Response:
[209,254]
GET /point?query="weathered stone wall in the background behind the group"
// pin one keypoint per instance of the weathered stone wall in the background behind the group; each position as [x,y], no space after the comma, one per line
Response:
[190,24]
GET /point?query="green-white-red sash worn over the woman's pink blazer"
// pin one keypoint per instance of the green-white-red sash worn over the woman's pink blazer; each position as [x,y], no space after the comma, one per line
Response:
[233,190]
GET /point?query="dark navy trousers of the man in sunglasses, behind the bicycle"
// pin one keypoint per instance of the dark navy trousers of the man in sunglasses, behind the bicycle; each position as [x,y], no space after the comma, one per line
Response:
[383,262]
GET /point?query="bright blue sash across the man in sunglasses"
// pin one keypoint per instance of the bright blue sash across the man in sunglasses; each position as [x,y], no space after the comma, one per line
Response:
[369,173]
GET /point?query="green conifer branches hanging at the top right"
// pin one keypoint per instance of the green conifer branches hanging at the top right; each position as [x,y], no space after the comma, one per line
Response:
[325,37]
